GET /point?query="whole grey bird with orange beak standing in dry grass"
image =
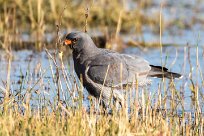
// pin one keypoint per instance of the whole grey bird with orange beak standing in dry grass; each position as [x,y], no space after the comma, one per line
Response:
[91,63]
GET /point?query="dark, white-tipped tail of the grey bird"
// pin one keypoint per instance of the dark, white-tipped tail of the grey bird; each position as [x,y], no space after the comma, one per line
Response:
[160,72]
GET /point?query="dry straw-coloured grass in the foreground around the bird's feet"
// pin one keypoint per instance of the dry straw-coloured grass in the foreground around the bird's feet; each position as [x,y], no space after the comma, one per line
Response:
[29,111]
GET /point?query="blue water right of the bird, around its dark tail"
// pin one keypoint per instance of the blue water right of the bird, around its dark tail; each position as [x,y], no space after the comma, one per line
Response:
[177,59]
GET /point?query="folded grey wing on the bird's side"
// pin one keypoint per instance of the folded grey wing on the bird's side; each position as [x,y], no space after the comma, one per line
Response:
[122,69]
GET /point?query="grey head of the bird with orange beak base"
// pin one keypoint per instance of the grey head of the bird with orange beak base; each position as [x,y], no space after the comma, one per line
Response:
[78,41]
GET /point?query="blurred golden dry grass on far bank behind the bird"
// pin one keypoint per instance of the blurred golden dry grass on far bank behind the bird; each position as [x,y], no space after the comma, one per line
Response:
[39,17]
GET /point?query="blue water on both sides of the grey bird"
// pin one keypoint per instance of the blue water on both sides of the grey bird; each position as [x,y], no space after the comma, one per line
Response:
[32,71]
